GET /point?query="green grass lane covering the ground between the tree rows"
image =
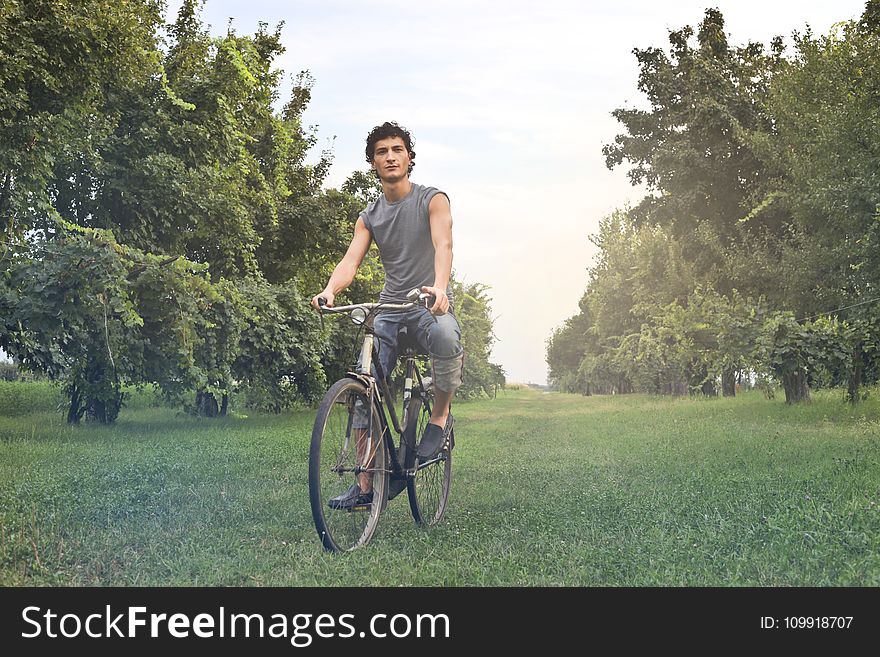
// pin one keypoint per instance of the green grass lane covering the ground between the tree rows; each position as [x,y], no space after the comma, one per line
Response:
[548,489]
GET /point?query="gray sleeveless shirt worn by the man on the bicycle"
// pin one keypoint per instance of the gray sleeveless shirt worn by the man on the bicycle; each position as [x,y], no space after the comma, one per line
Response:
[403,234]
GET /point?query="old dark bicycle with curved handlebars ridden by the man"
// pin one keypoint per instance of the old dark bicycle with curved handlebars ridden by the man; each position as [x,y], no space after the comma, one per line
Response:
[352,438]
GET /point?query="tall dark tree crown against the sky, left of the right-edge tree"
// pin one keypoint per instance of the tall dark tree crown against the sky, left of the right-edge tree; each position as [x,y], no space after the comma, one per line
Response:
[693,148]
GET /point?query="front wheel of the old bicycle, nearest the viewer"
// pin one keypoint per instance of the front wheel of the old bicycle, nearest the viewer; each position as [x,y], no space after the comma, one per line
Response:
[346,441]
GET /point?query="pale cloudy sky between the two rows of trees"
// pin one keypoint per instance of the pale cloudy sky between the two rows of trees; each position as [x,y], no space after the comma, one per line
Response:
[510,104]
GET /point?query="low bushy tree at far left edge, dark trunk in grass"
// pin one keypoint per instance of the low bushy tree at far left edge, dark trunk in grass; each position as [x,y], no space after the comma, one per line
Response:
[69,316]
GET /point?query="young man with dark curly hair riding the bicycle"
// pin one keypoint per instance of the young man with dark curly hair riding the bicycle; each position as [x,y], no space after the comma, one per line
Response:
[412,226]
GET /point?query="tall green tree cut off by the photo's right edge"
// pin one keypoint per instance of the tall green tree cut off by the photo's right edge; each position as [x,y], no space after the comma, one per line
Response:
[825,155]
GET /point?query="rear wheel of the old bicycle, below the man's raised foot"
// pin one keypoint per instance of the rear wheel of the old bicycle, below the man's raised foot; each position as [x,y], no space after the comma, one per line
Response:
[428,487]
